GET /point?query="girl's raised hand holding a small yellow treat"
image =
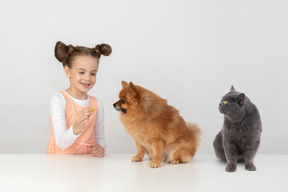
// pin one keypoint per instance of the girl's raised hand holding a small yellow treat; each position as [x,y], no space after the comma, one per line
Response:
[81,119]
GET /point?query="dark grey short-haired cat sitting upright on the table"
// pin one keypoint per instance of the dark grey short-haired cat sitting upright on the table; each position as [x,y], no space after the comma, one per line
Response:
[239,138]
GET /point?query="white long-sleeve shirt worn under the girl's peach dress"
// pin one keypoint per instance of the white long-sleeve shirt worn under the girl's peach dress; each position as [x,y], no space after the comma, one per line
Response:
[64,136]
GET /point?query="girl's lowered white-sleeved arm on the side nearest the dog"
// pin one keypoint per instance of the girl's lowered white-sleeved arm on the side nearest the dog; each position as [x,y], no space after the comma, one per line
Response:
[99,126]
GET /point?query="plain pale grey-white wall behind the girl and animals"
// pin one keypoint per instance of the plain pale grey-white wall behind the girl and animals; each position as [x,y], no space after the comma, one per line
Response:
[189,52]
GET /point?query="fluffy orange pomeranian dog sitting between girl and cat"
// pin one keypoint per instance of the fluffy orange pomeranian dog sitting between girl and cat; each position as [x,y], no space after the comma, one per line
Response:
[157,127]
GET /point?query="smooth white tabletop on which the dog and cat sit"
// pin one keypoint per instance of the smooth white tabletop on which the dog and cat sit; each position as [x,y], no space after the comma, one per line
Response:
[116,172]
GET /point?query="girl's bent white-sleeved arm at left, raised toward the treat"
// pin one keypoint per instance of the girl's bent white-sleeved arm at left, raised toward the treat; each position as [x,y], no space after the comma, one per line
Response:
[64,137]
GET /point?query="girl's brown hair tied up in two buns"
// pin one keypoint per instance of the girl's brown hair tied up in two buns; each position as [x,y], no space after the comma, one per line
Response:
[66,53]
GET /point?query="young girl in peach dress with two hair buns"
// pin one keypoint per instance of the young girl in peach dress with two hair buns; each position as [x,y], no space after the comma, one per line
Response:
[76,118]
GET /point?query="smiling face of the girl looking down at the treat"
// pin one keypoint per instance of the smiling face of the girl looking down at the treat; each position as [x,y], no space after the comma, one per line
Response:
[82,75]
